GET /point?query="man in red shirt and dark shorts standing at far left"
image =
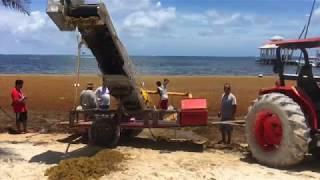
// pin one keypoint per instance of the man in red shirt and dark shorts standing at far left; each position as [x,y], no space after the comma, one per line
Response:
[19,106]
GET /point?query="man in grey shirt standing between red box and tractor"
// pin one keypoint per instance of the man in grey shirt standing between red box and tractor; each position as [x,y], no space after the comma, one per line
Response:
[227,113]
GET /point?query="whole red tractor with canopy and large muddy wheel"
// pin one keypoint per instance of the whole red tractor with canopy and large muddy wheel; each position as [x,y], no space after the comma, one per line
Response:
[282,125]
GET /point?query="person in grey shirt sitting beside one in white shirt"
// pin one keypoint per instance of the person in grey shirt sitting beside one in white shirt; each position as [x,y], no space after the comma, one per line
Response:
[88,100]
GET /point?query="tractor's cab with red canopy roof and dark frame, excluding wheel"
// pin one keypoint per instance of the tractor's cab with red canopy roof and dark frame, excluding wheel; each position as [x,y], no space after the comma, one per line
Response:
[307,84]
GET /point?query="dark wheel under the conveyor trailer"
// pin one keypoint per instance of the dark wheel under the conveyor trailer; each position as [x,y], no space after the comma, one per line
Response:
[105,132]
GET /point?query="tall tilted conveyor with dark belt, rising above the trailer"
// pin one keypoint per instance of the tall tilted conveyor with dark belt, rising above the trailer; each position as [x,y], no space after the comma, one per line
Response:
[97,30]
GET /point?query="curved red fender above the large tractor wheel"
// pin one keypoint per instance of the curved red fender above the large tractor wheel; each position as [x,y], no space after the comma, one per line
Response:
[301,98]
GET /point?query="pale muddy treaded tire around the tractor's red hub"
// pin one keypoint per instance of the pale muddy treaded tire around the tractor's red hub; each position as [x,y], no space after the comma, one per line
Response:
[295,131]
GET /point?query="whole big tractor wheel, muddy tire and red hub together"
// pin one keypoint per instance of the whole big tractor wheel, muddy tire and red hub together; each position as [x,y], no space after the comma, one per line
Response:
[277,131]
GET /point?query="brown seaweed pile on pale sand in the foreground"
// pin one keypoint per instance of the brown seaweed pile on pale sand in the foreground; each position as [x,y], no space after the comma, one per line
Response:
[102,163]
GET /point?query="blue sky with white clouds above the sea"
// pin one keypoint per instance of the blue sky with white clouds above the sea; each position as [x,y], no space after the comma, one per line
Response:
[168,27]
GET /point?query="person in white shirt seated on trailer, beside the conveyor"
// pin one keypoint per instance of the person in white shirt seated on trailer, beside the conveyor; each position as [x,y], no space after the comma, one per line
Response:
[103,96]
